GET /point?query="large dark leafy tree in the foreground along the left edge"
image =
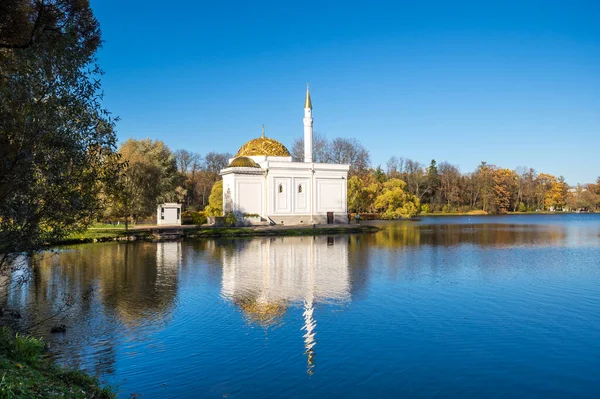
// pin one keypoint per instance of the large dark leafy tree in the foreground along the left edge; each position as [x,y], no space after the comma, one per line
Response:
[57,142]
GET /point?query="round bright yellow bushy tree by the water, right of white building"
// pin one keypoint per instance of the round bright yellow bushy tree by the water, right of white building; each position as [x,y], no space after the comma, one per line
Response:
[394,202]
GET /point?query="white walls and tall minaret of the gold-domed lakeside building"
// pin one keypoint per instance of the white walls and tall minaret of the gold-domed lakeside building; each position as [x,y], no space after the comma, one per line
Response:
[285,192]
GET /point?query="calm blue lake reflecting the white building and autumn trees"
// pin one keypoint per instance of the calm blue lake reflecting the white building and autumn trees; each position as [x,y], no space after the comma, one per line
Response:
[453,307]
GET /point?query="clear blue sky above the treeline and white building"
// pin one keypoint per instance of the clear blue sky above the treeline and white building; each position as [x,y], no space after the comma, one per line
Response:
[513,83]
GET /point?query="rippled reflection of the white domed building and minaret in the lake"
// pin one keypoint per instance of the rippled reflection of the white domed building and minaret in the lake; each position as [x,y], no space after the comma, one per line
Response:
[266,276]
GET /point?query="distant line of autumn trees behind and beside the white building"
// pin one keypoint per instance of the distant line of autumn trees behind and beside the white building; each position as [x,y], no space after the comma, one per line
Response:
[404,188]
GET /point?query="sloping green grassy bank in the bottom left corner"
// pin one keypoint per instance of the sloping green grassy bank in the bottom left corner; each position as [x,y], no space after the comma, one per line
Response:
[26,373]
